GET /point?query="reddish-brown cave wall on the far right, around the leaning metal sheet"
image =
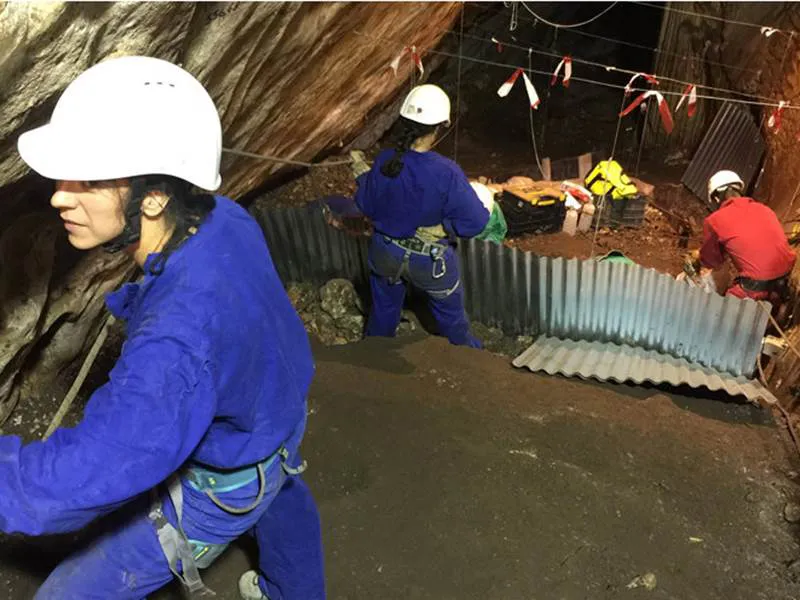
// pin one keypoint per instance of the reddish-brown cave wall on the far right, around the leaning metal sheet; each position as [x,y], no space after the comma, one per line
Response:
[769,67]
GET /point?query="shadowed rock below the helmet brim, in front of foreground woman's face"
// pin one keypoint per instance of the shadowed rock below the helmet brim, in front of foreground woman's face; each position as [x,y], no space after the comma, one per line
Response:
[47,291]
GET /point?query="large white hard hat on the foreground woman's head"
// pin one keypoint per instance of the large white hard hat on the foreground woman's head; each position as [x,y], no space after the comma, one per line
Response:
[129,116]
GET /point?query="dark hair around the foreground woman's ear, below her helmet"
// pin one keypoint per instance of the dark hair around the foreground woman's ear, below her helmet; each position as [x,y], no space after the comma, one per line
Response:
[185,212]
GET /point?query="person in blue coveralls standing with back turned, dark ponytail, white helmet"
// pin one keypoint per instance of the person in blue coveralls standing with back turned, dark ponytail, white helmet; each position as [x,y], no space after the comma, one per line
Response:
[418,201]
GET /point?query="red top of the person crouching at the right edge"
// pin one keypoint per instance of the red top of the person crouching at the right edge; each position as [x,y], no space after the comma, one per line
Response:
[750,233]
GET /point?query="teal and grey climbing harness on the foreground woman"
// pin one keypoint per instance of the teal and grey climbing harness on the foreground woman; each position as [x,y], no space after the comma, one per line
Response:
[195,554]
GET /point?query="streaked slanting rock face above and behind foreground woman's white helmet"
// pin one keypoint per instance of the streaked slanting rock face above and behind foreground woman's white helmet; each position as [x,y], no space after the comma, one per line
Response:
[291,79]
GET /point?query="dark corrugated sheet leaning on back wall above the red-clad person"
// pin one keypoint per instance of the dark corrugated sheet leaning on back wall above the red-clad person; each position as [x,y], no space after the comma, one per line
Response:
[732,142]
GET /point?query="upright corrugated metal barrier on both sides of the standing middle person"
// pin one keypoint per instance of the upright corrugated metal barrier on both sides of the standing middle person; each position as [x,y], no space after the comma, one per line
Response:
[524,294]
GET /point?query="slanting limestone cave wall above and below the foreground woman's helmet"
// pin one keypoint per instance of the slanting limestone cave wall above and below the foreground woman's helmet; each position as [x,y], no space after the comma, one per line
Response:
[295,80]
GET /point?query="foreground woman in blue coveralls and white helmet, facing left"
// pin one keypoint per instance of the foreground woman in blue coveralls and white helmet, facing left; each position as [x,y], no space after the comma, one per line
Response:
[194,439]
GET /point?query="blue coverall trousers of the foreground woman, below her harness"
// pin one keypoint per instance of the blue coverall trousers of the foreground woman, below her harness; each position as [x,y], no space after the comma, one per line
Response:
[127,563]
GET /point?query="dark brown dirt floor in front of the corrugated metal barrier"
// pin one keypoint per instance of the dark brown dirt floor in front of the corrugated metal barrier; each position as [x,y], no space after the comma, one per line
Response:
[447,474]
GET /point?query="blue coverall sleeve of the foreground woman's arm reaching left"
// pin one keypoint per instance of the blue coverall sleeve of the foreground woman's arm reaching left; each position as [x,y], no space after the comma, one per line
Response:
[138,429]
